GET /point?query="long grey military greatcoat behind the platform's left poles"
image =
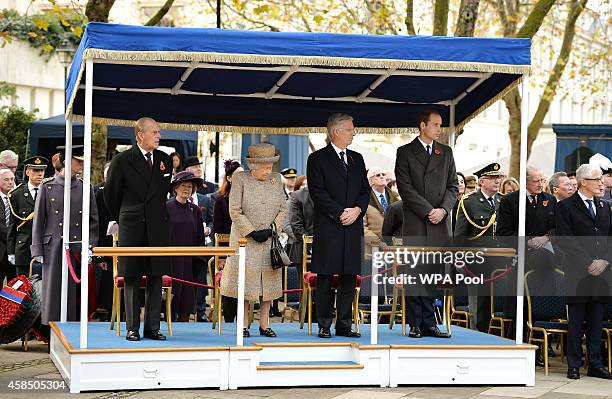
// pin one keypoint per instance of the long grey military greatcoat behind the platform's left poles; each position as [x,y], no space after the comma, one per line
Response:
[47,241]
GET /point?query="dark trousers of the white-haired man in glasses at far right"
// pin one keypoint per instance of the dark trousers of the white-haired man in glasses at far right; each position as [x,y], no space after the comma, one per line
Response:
[592,313]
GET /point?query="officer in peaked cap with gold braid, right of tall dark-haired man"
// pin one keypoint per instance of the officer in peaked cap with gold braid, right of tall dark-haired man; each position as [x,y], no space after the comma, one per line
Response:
[476,224]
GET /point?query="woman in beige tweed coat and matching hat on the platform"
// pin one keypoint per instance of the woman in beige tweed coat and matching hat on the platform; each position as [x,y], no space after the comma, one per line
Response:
[257,199]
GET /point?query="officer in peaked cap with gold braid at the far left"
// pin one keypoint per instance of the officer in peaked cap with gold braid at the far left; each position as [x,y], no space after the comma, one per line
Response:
[21,200]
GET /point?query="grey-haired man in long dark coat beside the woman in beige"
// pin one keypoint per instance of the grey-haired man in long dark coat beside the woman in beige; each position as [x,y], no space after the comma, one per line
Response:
[340,192]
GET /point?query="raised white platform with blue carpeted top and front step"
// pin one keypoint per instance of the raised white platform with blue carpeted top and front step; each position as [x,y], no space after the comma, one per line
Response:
[195,356]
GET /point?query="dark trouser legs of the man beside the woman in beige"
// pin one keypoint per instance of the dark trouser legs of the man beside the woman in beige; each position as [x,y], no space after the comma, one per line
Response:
[344,301]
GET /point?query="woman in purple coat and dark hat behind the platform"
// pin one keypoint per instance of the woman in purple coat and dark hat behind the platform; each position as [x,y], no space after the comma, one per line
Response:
[185,230]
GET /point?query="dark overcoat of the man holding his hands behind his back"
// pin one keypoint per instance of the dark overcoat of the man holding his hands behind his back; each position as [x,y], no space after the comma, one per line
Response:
[135,196]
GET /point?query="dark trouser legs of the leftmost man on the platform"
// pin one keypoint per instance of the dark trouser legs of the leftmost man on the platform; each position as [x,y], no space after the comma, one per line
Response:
[152,303]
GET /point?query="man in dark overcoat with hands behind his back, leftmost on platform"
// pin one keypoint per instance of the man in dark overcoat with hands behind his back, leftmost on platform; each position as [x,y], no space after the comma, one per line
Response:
[135,194]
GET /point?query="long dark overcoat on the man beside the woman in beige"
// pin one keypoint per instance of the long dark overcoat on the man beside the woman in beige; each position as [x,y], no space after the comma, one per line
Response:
[337,249]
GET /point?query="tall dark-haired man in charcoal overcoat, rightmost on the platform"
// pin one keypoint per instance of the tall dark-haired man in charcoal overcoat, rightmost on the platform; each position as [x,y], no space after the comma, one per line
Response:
[427,183]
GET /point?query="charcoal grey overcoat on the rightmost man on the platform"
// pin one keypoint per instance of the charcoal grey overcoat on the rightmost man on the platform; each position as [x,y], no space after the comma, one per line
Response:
[426,182]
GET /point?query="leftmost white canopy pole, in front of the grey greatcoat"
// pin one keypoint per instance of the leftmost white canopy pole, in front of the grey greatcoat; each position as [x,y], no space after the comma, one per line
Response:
[66,219]
